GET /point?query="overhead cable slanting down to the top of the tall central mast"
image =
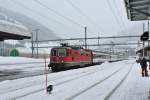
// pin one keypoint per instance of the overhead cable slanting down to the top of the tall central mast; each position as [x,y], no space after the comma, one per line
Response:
[54,11]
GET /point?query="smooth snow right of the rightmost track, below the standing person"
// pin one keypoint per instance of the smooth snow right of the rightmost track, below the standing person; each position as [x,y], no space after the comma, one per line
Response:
[135,87]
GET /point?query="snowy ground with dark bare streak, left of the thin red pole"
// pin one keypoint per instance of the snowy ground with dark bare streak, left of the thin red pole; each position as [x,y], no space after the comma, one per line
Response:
[20,67]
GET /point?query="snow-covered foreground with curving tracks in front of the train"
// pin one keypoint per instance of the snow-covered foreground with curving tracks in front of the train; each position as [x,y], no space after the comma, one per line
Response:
[110,81]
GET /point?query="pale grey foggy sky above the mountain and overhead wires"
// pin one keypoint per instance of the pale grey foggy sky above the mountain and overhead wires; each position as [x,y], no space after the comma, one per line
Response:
[102,16]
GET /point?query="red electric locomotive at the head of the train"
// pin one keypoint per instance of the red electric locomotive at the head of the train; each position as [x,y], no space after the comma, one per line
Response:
[68,57]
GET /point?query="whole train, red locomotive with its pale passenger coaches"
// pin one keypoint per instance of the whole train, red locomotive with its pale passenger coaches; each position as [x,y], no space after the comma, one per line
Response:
[67,57]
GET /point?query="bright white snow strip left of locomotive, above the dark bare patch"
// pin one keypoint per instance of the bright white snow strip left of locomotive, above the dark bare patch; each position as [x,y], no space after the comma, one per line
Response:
[8,63]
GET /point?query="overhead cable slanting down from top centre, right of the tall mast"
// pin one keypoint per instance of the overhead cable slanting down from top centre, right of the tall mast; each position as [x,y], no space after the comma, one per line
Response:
[83,14]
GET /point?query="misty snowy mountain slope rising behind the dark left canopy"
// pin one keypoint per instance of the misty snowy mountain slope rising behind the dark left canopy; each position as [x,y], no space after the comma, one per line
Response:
[31,24]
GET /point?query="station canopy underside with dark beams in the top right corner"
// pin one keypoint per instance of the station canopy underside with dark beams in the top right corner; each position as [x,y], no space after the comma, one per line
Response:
[138,9]
